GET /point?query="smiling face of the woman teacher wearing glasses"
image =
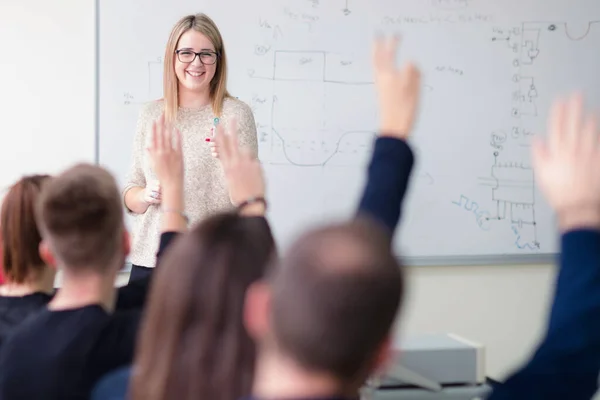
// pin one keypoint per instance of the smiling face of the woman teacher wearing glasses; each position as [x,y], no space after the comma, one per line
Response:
[195,76]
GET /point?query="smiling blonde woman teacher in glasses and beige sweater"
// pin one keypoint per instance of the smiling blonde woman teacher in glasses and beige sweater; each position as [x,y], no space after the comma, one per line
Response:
[195,100]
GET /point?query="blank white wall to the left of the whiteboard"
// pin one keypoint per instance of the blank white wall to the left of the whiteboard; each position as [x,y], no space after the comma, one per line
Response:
[47,85]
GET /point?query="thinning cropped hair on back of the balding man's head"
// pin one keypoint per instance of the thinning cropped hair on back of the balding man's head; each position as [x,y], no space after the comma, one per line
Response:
[335,298]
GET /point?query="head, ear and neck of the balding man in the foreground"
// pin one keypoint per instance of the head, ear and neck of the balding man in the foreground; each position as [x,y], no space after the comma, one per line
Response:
[323,324]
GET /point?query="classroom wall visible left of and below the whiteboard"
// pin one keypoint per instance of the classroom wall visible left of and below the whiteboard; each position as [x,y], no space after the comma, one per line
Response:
[47,109]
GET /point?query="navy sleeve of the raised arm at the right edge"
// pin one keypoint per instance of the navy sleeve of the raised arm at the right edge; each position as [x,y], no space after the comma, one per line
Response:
[567,362]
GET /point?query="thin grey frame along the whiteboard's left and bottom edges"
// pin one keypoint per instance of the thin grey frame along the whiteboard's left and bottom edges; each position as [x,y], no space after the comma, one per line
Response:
[454,260]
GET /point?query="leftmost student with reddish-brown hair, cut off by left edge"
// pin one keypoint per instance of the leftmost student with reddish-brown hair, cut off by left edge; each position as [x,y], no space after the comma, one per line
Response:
[29,280]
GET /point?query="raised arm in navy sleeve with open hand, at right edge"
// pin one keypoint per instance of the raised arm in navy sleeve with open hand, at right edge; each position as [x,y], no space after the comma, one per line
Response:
[566,363]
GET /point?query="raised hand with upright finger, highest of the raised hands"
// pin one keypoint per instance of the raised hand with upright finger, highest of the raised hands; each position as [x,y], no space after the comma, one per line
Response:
[398,89]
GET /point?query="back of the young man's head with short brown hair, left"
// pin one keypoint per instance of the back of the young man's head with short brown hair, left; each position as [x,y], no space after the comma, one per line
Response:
[80,216]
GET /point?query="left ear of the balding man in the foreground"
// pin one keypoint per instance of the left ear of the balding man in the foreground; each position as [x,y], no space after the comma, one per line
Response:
[257,310]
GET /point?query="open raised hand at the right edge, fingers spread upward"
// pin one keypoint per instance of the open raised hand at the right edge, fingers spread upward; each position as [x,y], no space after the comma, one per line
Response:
[567,166]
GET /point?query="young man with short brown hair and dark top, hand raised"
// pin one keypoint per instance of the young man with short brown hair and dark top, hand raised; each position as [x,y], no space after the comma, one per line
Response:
[63,349]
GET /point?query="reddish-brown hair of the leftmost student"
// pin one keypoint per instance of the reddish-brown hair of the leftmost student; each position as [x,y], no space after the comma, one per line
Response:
[20,236]
